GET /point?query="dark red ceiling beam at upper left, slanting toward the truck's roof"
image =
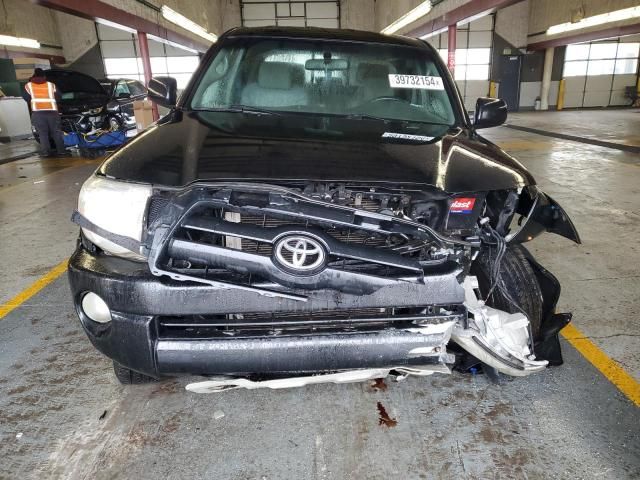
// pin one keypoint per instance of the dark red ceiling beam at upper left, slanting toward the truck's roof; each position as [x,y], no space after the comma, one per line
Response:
[100,11]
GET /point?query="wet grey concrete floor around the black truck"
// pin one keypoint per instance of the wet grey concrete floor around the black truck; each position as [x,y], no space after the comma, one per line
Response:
[63,414]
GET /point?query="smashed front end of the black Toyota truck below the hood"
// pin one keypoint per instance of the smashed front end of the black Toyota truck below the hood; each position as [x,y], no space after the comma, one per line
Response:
[353,281]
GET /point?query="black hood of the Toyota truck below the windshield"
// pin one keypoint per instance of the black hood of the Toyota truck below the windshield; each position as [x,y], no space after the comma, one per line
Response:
[233,147]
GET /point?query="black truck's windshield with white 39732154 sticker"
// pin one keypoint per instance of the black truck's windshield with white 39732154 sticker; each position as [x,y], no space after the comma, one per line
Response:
[347,79]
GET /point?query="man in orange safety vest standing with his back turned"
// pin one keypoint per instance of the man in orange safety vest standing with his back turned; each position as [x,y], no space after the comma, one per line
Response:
[45,117]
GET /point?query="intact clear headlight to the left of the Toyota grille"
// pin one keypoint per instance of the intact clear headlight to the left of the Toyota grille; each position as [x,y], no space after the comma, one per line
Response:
[116,206]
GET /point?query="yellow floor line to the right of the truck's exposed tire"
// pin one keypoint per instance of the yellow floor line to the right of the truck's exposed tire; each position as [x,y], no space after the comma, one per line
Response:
[608,367]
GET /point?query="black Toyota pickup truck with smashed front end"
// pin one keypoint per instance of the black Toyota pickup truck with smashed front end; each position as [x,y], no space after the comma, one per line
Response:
[317,201]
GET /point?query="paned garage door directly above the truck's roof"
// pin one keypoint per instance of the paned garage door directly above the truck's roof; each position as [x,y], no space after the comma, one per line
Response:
[310,13]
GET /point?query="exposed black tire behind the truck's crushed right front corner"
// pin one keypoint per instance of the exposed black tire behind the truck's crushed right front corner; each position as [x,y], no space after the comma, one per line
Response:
[520,281]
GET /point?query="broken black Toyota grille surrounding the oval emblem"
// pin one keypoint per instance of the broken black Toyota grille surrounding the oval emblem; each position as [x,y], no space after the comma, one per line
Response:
[227,237]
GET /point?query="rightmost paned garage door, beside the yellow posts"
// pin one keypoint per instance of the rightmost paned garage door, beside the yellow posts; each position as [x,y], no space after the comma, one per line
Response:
[596,74]
